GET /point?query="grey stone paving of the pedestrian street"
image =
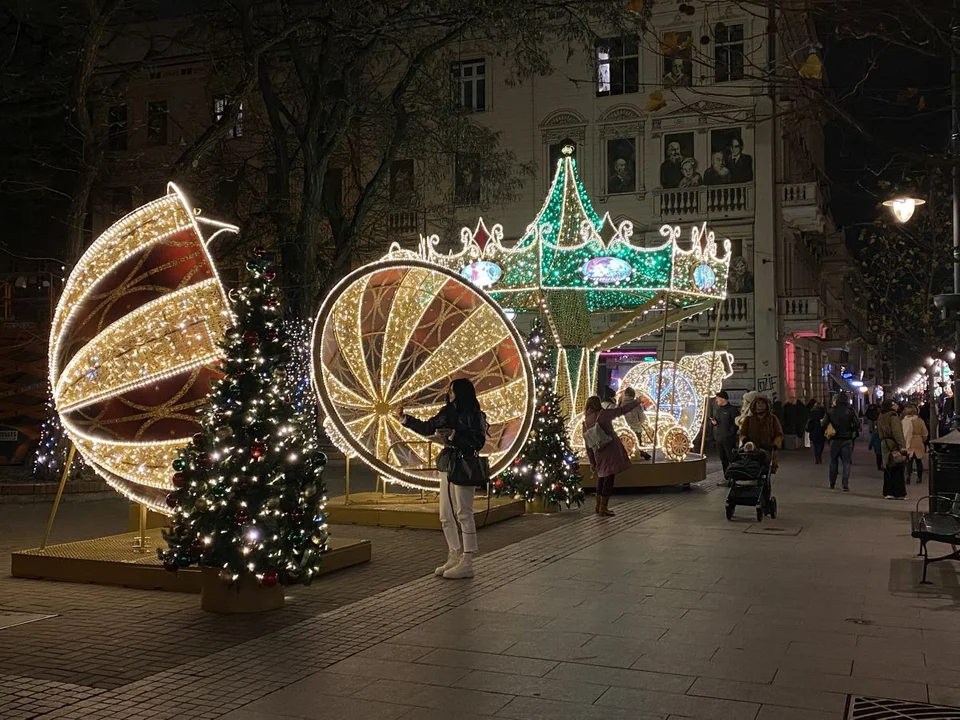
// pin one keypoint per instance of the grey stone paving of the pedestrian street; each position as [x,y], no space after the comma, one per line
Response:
[665,611]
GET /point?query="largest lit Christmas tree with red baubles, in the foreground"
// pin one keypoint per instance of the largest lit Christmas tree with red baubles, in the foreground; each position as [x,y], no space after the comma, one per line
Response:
[249,495]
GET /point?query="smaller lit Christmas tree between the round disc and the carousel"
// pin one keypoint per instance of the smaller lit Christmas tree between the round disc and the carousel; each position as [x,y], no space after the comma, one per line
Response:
[546,468]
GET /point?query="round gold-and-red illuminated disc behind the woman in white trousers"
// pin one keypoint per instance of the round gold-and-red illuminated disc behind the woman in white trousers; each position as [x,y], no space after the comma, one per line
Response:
[392,335]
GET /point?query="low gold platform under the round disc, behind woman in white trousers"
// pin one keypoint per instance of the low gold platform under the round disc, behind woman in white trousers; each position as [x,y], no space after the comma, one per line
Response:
[408,510]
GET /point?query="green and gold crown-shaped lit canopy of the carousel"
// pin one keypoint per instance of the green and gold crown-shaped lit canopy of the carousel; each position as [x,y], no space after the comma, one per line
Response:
[562,265]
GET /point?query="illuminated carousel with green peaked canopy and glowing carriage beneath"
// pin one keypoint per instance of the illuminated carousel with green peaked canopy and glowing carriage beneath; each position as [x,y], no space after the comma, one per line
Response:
[572,264]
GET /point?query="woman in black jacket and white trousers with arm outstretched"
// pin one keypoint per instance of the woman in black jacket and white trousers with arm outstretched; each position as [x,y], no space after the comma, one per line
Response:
[464,427]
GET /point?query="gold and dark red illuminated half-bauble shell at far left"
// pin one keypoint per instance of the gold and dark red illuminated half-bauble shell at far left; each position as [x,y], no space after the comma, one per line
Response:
[134,345]
